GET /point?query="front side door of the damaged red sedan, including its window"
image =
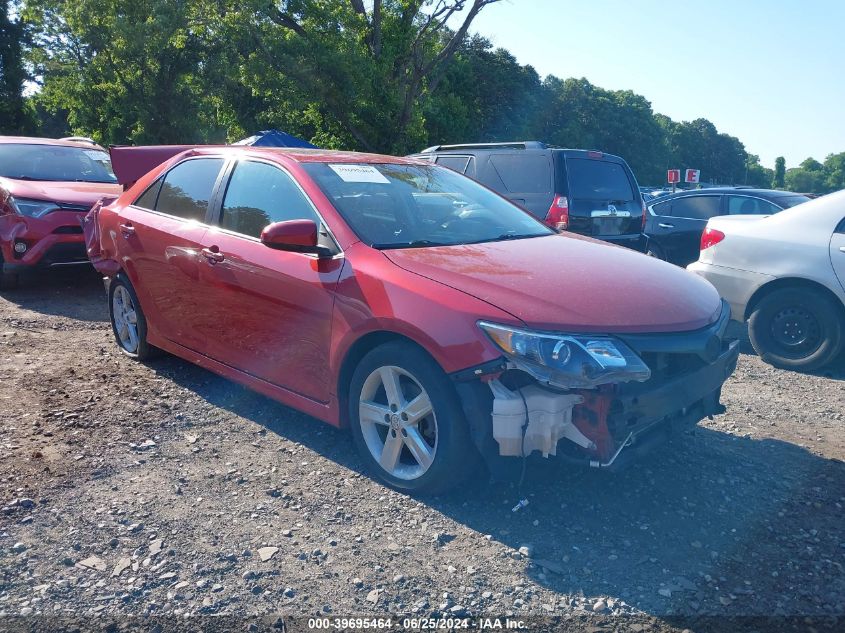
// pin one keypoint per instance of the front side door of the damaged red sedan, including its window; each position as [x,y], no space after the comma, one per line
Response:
[269,312]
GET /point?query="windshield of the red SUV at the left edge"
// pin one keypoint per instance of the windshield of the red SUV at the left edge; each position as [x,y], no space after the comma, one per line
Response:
[55,162]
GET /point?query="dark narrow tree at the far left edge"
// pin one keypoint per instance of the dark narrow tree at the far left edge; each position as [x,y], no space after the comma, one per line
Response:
[14,34]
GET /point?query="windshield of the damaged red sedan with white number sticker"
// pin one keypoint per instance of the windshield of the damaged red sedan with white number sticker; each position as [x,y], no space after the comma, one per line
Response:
[401,206]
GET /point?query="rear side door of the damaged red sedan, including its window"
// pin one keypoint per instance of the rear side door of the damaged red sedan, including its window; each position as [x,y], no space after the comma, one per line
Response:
[160,241]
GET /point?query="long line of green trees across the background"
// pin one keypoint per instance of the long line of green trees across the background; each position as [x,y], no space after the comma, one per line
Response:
[388,76]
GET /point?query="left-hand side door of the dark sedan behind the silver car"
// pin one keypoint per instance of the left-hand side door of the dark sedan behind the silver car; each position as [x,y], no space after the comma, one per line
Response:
[682,236]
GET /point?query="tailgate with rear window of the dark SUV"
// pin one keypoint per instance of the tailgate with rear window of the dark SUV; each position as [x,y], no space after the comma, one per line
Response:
[603,198]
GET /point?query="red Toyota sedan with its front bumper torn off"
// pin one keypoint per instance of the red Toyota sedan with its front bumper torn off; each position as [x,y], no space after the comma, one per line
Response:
[435,318]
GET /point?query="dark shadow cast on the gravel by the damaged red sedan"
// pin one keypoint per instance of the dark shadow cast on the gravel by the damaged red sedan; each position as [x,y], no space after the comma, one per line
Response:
[710,524]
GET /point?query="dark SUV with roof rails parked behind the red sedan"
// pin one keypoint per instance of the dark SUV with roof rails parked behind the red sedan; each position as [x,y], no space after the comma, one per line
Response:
[586,192]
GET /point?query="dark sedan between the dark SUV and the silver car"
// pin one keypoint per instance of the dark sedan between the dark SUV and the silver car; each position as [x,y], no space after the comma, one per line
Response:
[674,223]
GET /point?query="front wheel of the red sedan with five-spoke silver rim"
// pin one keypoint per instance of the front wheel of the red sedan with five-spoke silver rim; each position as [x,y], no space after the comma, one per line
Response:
[407,421]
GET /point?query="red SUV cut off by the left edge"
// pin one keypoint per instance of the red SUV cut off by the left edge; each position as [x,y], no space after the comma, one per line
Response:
[46,187]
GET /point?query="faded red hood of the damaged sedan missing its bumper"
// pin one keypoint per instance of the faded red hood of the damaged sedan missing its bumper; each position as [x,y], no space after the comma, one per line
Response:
[567,282]
